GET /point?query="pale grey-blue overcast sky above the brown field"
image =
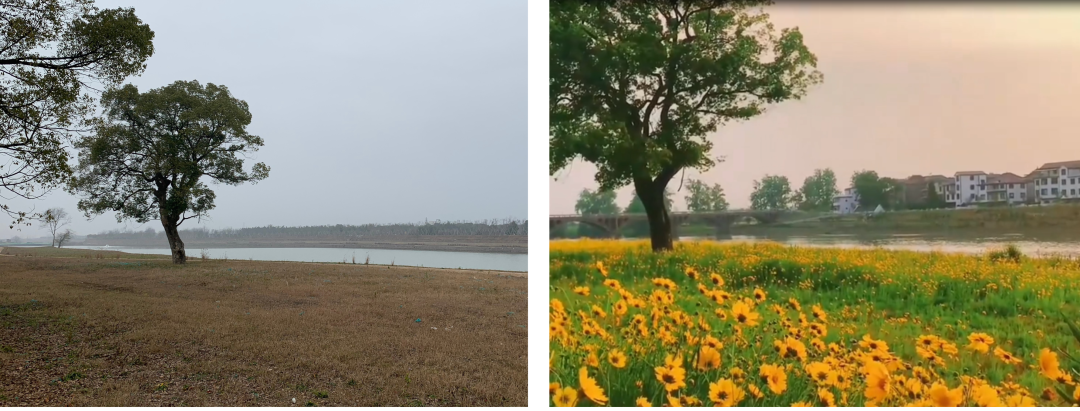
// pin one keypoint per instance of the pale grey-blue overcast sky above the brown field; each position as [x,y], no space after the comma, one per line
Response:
[372,112]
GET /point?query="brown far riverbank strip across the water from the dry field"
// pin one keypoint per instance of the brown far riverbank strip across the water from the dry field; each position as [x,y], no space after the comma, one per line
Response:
[499,244]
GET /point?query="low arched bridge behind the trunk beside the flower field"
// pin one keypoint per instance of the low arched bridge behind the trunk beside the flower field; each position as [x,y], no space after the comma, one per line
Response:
[721,221]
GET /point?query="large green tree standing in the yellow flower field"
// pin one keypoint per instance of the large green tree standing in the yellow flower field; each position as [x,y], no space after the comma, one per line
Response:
[637,87]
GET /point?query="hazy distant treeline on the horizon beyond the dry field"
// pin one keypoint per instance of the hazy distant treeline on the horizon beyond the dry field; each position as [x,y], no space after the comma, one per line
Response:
[507,227]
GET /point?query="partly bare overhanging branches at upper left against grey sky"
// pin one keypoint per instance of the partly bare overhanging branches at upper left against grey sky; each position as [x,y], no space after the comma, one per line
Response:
[53,53]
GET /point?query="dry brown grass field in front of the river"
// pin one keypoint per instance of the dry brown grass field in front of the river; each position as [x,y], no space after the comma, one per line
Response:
[103,328]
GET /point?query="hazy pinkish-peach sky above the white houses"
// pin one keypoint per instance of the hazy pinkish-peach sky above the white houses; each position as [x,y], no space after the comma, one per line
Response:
[910,89]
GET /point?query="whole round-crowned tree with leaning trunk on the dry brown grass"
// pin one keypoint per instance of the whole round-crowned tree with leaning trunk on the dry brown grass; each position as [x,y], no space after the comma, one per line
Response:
[148,157]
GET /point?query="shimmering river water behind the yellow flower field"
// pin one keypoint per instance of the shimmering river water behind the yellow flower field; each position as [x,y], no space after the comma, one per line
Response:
[1068,245]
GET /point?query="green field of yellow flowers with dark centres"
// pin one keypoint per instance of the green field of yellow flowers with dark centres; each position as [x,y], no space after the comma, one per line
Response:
[769,325]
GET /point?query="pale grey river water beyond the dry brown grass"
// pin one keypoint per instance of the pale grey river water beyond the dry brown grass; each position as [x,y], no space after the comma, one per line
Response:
[382,257]
